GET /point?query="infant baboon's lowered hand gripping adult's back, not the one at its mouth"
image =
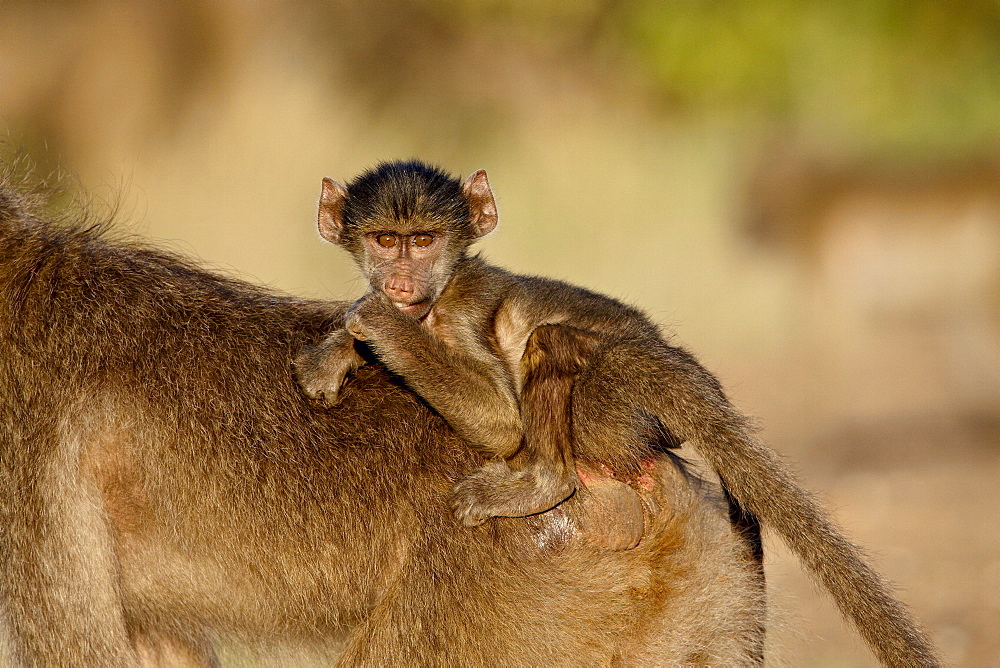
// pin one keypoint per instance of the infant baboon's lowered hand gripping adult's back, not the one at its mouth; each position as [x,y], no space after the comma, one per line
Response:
[320,370]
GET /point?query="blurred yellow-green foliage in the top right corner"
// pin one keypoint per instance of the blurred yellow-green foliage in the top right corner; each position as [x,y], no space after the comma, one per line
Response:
[910,73]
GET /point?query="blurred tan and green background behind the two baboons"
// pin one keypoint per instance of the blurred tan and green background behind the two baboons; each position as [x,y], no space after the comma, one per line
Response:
[807,194]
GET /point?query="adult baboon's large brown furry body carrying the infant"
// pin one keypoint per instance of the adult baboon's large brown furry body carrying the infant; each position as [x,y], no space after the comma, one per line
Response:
[164,486]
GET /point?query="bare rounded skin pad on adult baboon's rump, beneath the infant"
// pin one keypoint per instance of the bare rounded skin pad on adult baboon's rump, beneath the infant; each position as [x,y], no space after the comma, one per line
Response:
[609,513]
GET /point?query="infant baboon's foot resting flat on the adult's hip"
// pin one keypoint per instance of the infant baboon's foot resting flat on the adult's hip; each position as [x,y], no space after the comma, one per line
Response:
[496,490]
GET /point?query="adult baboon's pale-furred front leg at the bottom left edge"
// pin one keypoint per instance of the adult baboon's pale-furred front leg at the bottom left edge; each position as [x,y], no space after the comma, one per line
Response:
[57,565]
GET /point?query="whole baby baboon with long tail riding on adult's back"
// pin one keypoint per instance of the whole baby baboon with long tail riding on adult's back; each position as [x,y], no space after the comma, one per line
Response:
[454,328]
